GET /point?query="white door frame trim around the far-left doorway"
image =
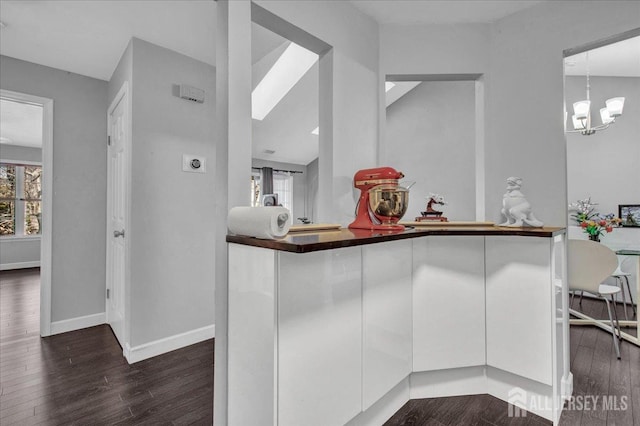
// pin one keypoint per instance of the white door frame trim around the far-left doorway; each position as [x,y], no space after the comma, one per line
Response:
[46,198]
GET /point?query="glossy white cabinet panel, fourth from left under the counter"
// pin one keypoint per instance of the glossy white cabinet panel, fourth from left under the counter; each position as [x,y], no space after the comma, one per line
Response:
[448,302]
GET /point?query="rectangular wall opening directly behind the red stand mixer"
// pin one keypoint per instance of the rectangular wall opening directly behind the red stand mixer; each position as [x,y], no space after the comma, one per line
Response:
[422,114]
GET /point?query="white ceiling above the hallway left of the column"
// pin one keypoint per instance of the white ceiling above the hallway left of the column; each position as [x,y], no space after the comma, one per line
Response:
[89,37]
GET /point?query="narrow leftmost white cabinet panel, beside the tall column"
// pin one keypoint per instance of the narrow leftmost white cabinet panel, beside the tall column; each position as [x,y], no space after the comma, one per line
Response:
[251,360]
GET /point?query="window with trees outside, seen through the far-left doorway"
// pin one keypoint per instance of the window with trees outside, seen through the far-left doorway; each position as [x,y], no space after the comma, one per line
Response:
[20,199]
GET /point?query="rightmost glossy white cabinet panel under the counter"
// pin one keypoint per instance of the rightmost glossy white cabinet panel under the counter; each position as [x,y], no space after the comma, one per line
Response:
[519,319]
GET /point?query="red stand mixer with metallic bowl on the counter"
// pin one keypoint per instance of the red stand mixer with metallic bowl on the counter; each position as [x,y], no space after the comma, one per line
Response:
[382,201]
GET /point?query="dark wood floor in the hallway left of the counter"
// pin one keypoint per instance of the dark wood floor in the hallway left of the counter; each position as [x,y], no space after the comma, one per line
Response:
[81,377]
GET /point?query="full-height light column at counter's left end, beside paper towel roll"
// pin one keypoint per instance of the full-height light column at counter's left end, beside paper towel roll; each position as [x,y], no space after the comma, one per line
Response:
[233,161]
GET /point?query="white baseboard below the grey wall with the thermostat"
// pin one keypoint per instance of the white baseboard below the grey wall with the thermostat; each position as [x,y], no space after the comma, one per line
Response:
[158,347]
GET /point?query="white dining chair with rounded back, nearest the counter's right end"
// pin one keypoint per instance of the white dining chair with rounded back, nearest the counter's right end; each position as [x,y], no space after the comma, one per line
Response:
[589,263]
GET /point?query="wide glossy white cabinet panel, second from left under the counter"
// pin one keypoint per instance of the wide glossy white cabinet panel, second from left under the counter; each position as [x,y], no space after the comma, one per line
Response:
[319,337]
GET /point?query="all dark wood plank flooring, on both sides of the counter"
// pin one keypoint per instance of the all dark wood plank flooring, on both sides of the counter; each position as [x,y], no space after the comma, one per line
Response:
[81,377]
